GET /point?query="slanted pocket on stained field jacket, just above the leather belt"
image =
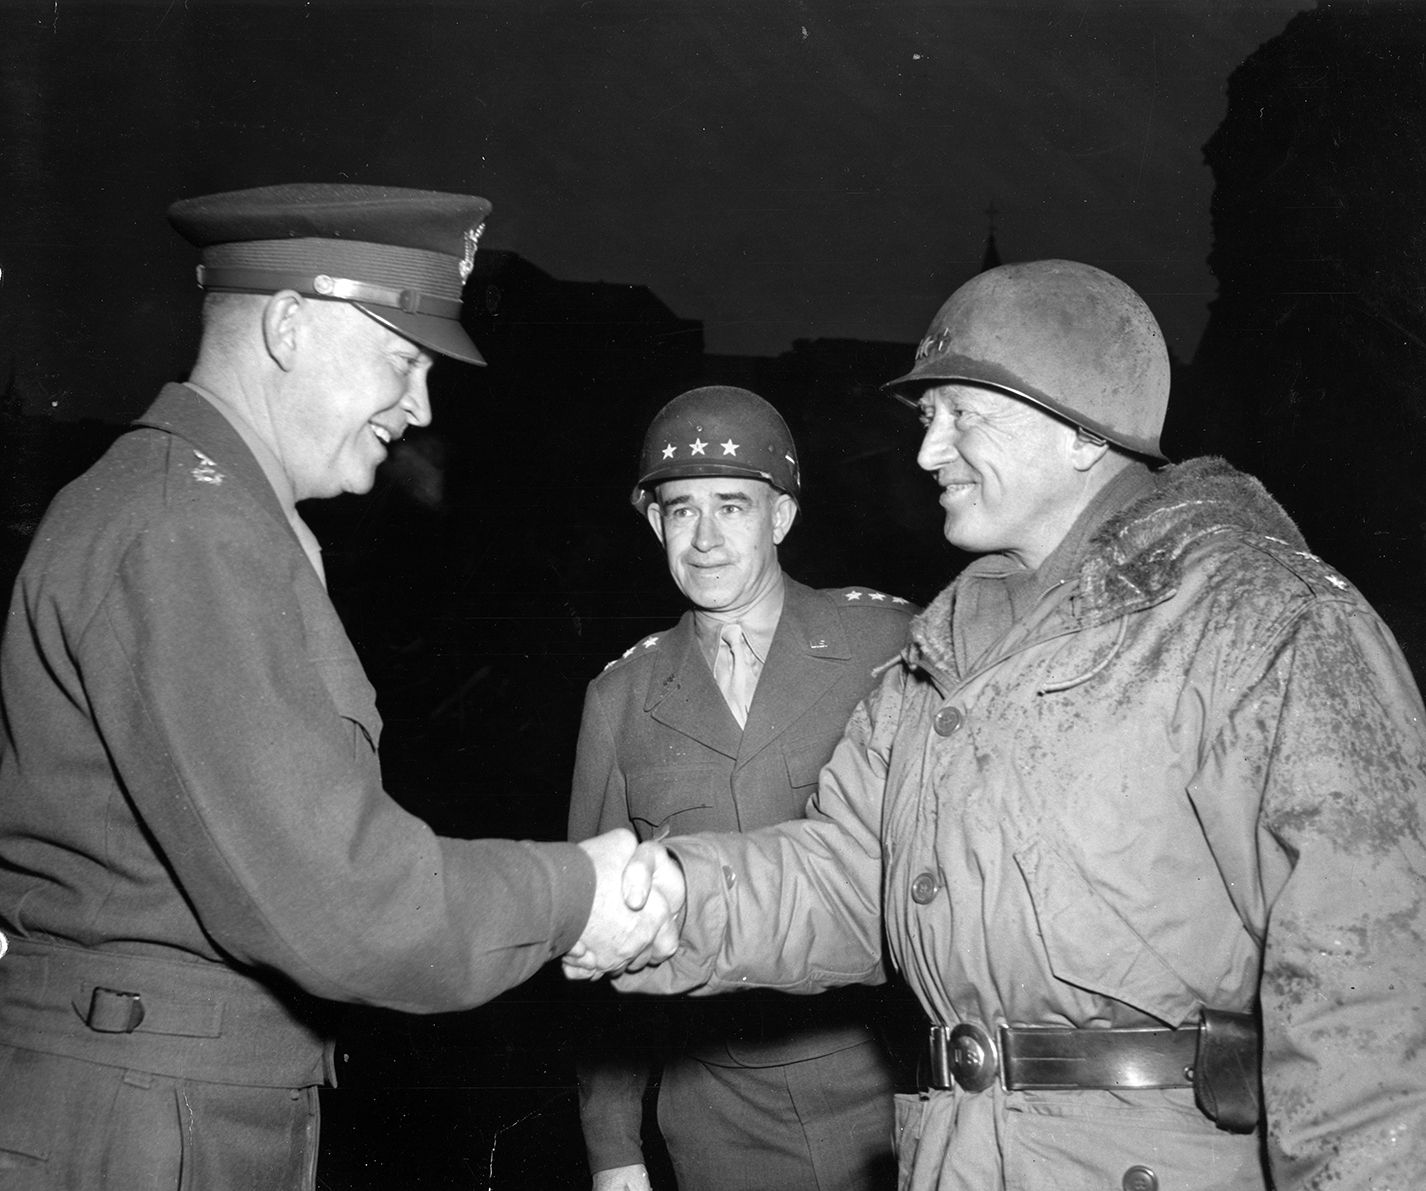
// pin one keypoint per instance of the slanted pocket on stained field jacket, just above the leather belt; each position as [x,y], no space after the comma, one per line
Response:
[1094,948]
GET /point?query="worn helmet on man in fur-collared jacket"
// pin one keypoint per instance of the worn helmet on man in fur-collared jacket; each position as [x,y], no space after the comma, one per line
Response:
[1063,336]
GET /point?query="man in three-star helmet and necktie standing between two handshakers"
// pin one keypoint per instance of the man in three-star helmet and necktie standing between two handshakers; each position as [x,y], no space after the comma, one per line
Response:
[722,724]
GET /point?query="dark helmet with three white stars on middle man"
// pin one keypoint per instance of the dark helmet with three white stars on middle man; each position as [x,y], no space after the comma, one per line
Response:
[718,430]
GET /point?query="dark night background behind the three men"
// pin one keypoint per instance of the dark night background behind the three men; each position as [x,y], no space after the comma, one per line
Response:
[775,195]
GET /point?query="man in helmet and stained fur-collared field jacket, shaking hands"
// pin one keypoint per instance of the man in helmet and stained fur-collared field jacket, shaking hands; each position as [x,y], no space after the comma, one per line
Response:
[1139,815]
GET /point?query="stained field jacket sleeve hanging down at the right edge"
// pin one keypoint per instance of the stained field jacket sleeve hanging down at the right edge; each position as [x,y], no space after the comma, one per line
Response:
[1334,740]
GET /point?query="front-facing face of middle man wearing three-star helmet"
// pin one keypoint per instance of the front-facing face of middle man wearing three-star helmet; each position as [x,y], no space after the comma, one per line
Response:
[721,536]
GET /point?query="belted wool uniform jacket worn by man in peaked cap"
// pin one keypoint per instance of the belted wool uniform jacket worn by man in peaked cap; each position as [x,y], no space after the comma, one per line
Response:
[190,795]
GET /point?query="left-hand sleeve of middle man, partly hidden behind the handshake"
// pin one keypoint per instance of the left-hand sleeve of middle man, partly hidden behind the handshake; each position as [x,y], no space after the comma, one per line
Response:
[614,1063]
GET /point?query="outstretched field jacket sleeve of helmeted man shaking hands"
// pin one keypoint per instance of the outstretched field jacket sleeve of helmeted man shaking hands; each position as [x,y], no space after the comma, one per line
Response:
[798,906]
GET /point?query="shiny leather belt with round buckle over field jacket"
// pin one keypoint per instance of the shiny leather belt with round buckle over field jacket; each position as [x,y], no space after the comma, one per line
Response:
[1055,1058]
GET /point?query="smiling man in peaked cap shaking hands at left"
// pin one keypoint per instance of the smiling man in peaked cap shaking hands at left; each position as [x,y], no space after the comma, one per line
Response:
[196,849]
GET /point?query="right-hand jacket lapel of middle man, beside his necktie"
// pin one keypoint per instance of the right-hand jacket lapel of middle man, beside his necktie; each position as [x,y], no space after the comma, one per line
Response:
[805,661]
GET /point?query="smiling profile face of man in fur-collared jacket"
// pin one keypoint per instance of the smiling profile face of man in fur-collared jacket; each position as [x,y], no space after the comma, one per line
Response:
[1013,479]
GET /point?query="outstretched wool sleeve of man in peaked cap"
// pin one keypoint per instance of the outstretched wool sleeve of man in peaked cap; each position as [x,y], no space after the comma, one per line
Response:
[263,792]
